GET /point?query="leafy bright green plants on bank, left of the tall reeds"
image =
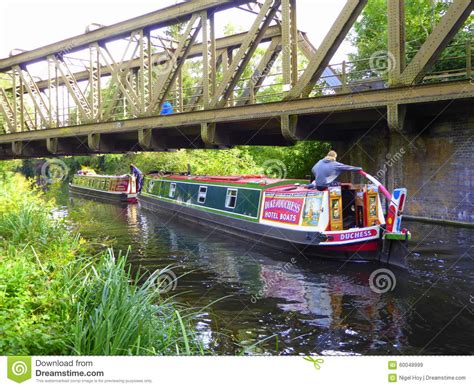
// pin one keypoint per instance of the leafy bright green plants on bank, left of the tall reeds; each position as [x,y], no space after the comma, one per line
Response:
[31,291]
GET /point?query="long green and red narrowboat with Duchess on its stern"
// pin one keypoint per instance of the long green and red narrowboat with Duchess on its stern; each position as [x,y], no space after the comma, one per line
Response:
[342,222]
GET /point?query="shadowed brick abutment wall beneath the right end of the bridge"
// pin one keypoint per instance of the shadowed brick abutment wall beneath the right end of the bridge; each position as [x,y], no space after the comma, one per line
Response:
[434,162]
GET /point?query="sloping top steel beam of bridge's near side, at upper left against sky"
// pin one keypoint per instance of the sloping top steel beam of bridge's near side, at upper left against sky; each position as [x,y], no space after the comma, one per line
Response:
[164,17]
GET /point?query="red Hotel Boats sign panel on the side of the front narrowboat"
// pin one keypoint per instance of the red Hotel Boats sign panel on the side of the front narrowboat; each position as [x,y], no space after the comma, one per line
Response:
[285,210]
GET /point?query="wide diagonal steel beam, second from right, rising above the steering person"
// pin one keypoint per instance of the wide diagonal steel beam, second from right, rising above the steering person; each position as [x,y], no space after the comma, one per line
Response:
[326,50]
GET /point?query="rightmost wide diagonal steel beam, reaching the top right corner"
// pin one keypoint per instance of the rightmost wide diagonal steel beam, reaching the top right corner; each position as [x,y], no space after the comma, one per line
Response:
[439,38]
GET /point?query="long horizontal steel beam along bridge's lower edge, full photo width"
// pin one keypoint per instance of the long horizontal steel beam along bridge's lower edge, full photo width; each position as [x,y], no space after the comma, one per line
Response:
[332,103]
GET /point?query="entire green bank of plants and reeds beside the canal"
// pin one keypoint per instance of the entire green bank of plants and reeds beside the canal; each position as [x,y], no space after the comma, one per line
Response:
[57,299]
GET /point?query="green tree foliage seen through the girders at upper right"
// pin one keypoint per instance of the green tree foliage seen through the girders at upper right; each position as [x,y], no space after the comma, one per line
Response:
[369,34]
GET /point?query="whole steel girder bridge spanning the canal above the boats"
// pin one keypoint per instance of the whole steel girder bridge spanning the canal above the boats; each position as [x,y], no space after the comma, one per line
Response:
[102,91]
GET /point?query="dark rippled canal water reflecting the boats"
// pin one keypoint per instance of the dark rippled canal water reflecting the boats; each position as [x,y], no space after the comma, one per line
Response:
[260,301]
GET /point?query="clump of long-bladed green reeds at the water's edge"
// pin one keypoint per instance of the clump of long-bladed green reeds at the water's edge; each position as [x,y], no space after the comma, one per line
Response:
[115,317]
